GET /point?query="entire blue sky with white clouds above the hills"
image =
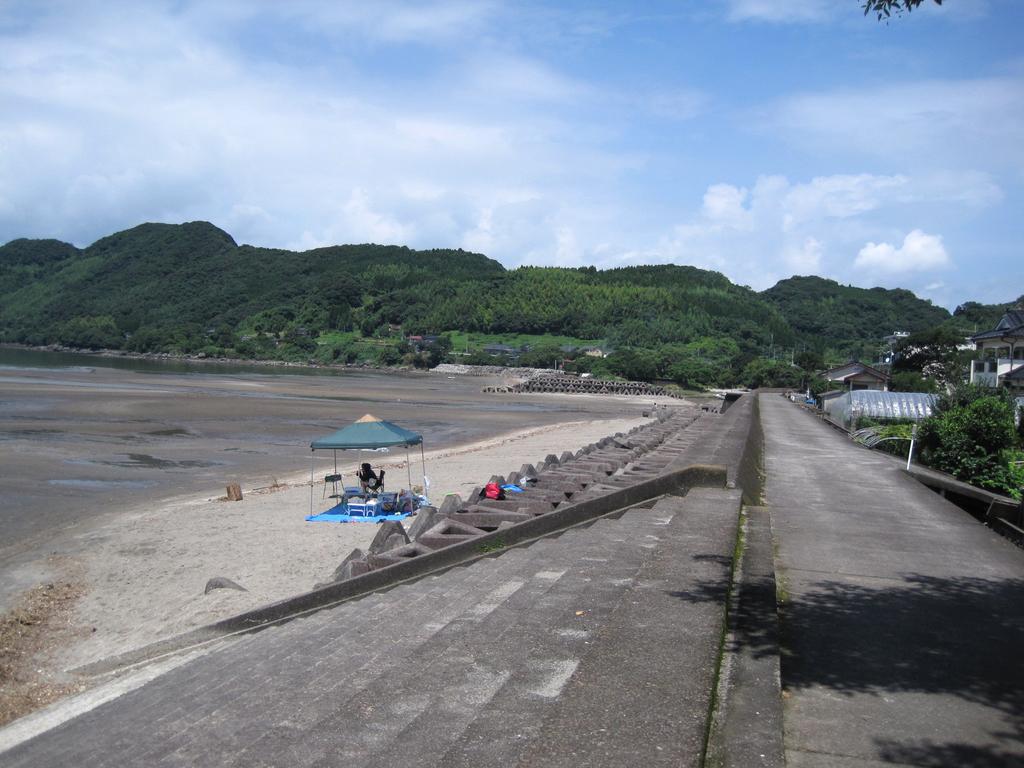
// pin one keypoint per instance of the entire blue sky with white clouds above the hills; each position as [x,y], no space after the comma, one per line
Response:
[760,139]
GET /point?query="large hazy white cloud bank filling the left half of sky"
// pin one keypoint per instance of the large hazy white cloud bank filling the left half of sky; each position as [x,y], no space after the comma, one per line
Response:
[139,116]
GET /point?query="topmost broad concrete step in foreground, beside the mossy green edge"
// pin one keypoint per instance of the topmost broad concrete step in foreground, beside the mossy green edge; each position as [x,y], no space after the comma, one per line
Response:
[643,695]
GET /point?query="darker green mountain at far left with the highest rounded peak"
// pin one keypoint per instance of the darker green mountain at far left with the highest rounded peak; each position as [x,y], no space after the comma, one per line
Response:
[170,282]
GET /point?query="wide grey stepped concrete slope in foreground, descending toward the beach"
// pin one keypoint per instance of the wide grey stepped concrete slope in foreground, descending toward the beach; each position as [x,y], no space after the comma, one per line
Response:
[423,674]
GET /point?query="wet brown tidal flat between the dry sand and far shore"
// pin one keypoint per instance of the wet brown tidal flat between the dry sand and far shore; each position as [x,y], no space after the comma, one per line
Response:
[78,443]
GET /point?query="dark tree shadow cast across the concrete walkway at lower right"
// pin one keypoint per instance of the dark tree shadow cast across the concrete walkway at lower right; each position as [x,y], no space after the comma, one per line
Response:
[962,637]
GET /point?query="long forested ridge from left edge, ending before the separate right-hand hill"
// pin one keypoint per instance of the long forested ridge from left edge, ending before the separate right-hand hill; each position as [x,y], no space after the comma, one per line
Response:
[181,287]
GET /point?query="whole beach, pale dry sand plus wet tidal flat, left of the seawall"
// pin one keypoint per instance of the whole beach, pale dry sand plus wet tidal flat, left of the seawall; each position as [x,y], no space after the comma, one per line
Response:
[117,480]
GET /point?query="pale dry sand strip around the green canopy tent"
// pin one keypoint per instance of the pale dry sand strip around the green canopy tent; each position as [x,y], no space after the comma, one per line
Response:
[145,572]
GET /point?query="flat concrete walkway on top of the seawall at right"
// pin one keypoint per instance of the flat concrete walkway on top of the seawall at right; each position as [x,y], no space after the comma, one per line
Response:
[903,619]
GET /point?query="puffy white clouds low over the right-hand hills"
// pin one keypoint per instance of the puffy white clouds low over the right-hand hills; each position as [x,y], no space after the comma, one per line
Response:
[777,228]
